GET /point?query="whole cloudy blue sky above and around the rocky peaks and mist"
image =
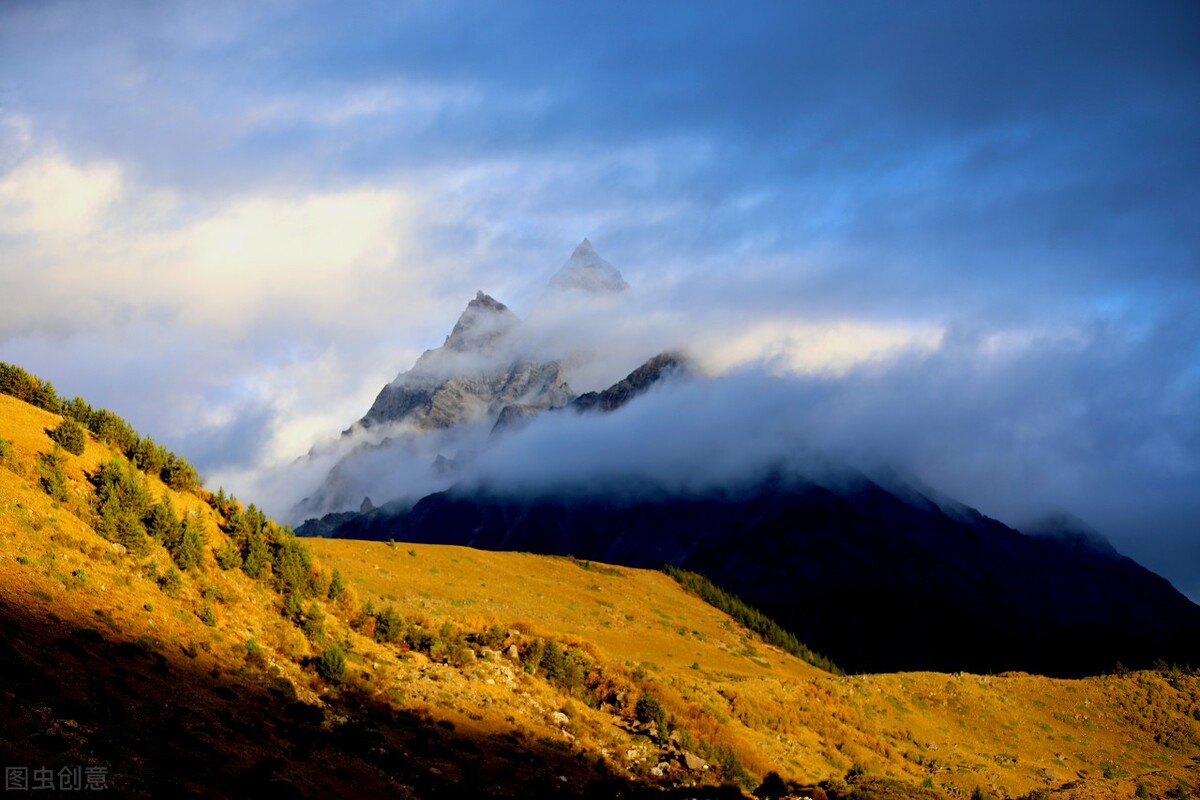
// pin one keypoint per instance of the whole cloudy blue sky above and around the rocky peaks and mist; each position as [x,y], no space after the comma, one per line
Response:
[233,222]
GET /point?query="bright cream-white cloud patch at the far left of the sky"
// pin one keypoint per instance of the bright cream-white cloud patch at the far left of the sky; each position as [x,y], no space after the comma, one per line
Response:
[82,244]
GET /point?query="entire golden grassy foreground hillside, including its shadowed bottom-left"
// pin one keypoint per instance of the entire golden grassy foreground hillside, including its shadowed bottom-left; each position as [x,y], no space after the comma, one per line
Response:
[421,671]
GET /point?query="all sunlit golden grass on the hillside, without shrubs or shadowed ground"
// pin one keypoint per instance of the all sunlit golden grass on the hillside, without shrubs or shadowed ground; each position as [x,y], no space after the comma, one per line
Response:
[1007,735]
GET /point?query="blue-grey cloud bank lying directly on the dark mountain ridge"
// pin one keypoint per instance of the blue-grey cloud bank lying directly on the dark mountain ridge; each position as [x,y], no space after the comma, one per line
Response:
[1089,422]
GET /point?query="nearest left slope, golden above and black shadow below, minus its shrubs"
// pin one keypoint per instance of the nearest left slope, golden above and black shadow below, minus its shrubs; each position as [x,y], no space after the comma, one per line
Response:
[212,690]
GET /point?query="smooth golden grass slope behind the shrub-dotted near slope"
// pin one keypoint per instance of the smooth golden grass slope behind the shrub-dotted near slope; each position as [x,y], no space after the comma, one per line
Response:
[1007,735]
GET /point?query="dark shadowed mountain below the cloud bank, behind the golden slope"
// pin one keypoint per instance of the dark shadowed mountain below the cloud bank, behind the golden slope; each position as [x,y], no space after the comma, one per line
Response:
[874,581]
